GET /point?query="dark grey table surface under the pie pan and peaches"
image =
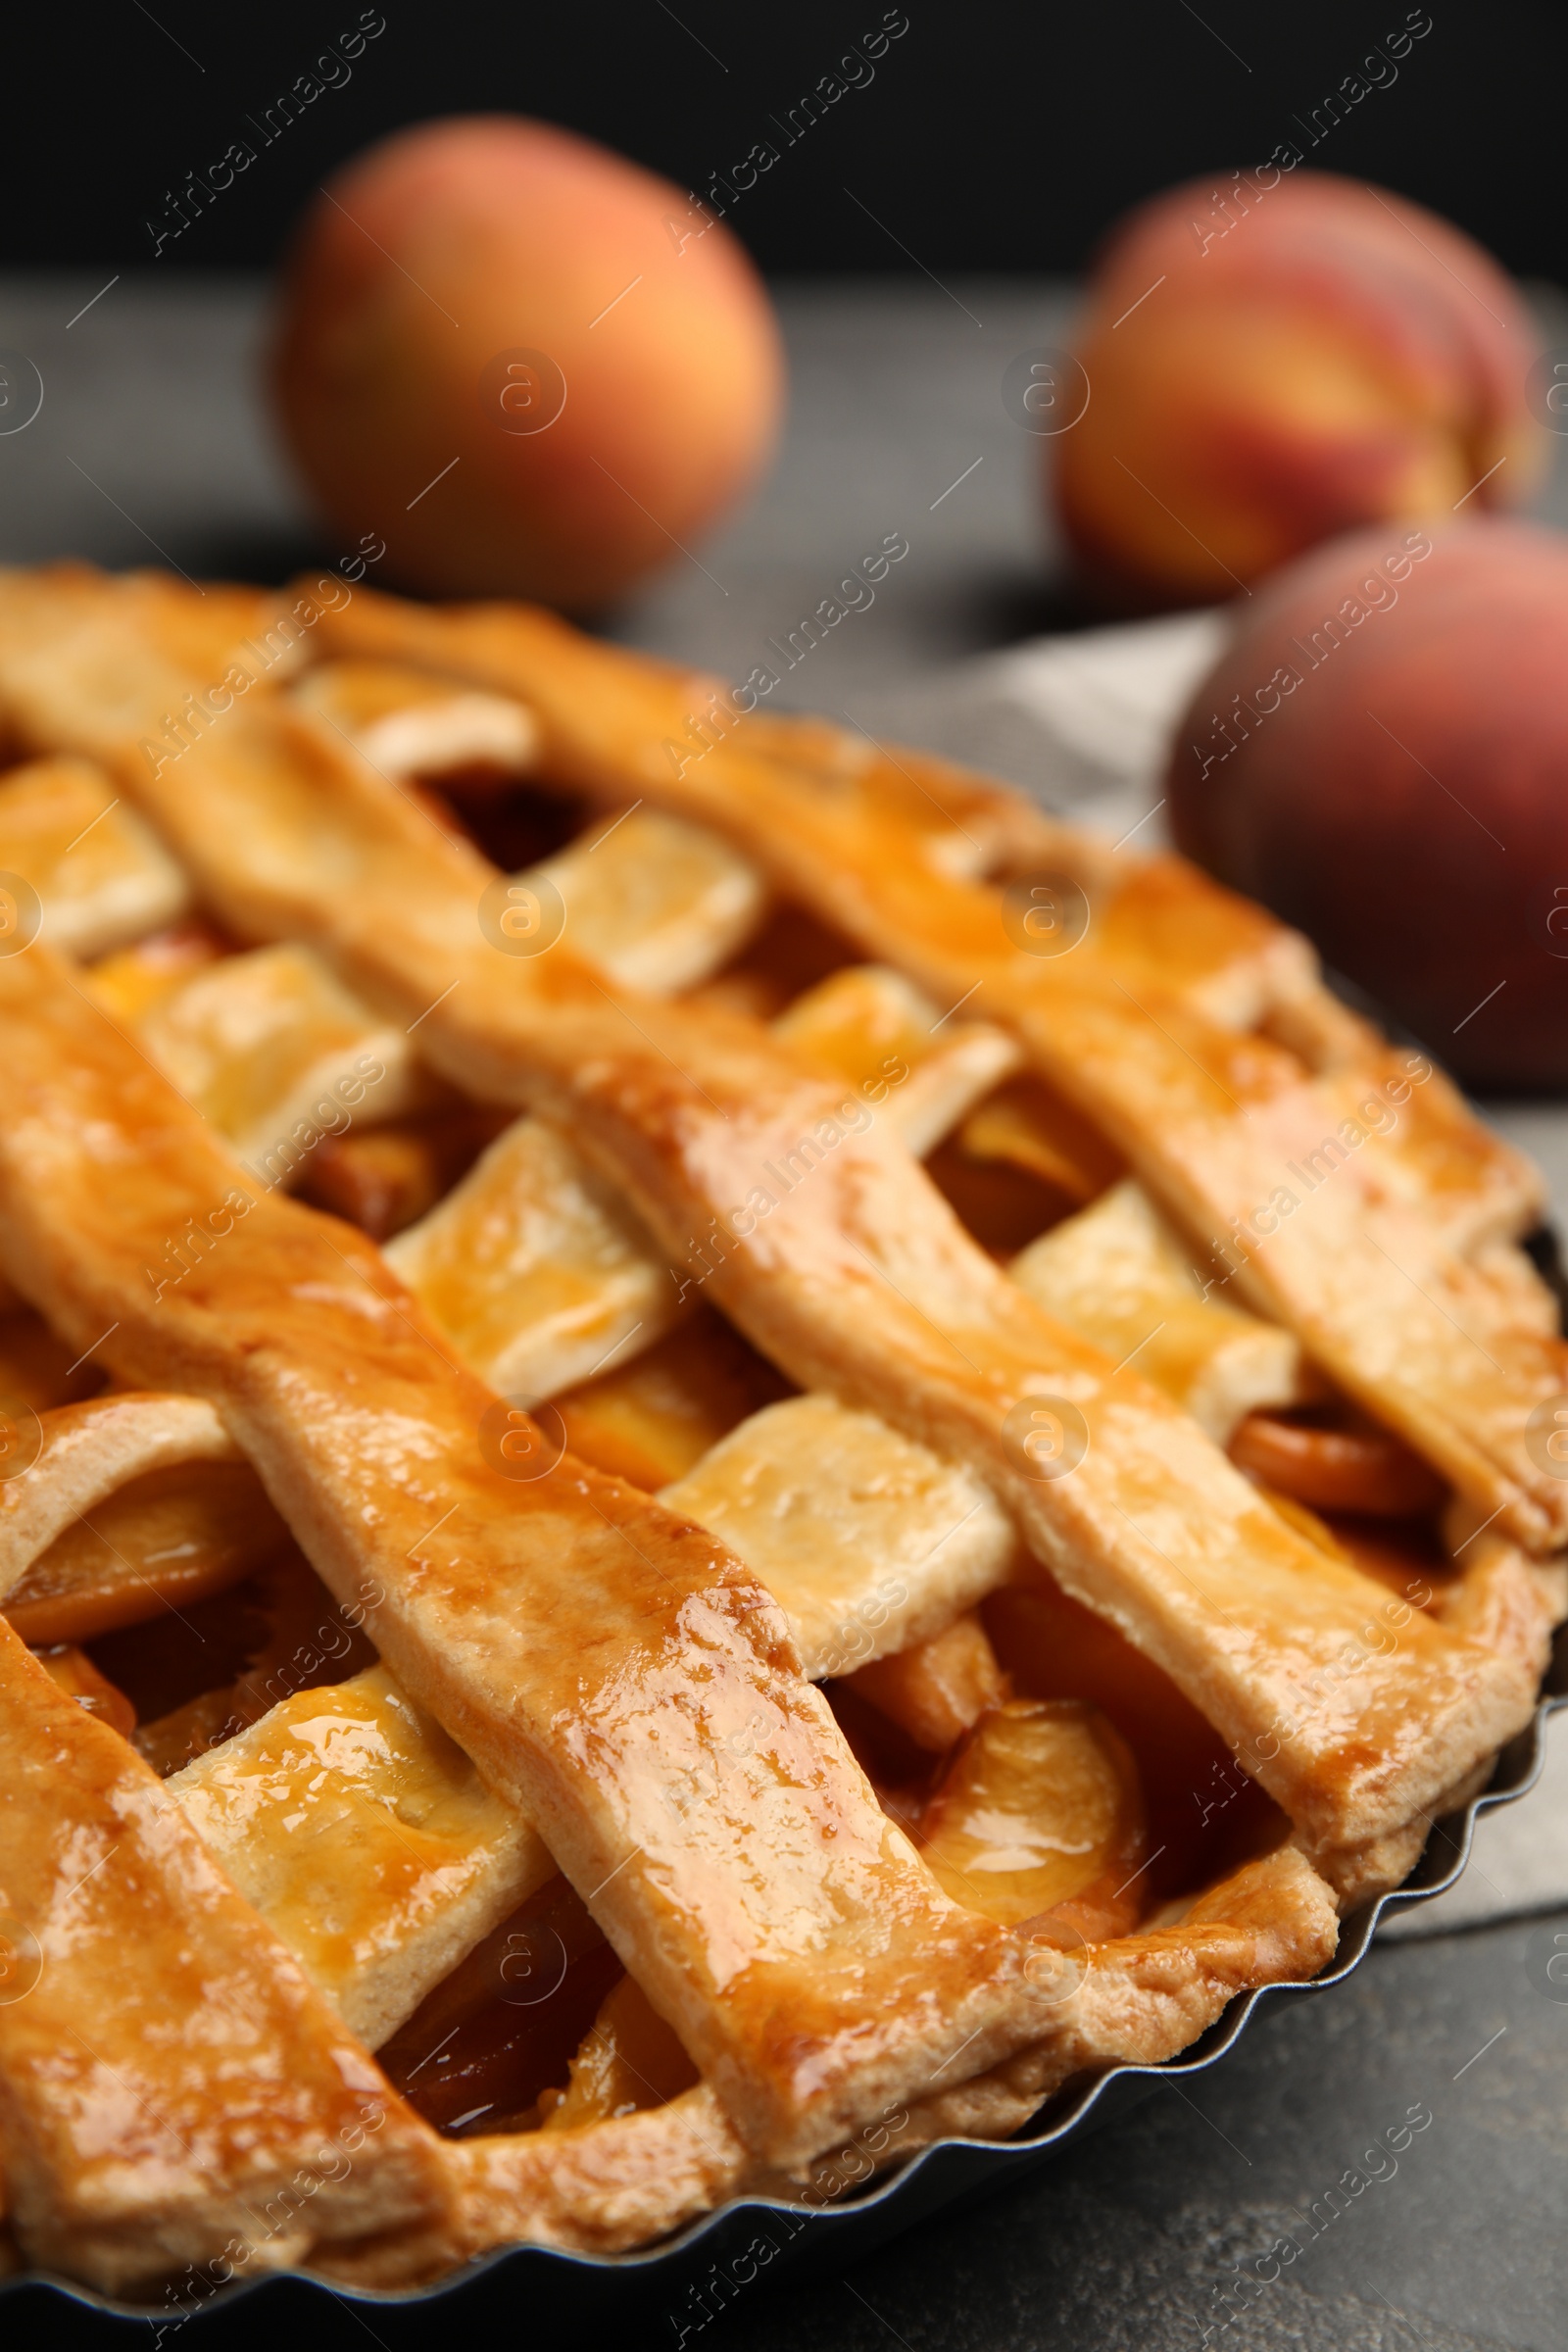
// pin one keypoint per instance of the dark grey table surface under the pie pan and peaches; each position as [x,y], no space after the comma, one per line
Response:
[154,446]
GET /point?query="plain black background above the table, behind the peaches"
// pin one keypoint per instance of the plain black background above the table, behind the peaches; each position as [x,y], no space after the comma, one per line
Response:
[991,138]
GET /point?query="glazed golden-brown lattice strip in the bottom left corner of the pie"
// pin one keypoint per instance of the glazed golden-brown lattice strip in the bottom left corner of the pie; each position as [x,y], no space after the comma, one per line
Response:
[133,2144]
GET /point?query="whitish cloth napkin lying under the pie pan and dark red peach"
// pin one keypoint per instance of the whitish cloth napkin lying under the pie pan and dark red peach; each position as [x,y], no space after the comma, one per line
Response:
[1085,726]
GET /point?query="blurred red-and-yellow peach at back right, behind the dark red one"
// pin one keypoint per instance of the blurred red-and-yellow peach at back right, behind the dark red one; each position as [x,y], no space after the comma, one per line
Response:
[1273,363]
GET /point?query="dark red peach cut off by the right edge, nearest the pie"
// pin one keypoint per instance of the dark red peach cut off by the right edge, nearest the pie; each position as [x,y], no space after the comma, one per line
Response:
[1383,759]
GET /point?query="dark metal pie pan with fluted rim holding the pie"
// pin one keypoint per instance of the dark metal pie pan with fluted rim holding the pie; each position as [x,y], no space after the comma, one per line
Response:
[685,2280]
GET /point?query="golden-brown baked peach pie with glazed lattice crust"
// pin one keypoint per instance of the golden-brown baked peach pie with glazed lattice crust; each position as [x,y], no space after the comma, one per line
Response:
[723,1652]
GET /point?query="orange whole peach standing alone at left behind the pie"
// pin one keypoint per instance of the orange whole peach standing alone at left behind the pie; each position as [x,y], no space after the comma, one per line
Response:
[523,361]
